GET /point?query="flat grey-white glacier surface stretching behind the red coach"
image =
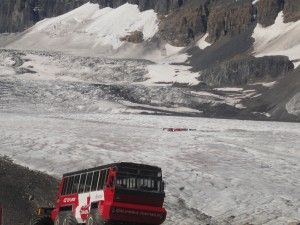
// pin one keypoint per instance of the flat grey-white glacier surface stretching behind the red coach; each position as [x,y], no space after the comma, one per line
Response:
[234,172]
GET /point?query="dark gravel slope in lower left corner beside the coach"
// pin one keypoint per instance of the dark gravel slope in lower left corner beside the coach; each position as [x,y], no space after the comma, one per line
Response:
[22,190]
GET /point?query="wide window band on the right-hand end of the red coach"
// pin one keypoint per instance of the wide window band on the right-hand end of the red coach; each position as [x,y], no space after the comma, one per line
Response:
[140,183]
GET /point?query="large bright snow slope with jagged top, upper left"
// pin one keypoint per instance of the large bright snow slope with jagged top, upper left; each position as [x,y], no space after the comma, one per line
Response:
[89,27]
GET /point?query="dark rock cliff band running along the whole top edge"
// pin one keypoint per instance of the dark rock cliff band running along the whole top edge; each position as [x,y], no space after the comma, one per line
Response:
[192,17]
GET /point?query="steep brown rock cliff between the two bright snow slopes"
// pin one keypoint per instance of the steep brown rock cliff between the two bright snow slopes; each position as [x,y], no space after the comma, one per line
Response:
[220,19]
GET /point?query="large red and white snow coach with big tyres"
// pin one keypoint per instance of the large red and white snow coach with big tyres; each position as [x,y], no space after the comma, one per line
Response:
[120,193]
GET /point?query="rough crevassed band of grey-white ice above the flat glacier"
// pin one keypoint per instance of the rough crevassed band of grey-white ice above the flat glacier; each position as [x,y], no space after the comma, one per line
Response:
[87,84]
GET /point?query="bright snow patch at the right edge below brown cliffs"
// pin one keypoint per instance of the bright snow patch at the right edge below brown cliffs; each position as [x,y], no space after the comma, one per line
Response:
[278,39]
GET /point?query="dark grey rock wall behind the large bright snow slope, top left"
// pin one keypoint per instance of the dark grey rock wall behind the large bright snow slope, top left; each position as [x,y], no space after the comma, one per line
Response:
[16,15]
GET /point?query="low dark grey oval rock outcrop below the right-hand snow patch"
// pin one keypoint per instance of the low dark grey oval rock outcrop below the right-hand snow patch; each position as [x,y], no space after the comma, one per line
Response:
[243,71]
